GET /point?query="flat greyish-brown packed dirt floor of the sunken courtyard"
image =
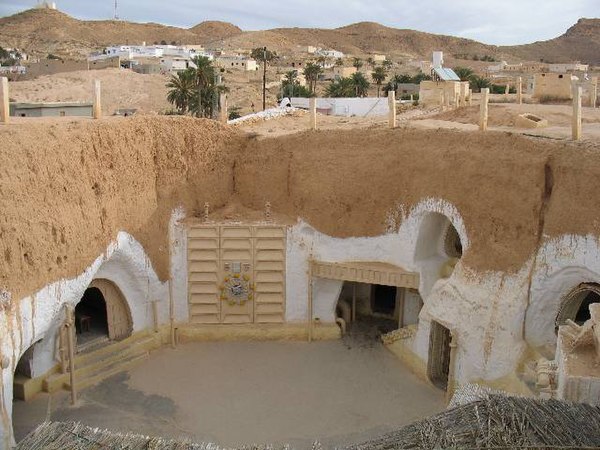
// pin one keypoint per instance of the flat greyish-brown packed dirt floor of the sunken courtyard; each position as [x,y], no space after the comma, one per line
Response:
[233,393]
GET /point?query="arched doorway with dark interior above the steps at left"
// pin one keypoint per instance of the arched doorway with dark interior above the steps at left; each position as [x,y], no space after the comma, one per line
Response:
[102,315]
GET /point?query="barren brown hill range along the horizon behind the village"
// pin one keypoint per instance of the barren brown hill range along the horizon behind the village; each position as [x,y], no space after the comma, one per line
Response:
[46,31]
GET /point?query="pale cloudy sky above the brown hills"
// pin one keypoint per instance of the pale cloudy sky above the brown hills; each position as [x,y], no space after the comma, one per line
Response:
[506,22]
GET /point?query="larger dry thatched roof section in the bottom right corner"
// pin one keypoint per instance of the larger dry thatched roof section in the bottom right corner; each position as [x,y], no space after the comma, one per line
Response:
[499,422]
